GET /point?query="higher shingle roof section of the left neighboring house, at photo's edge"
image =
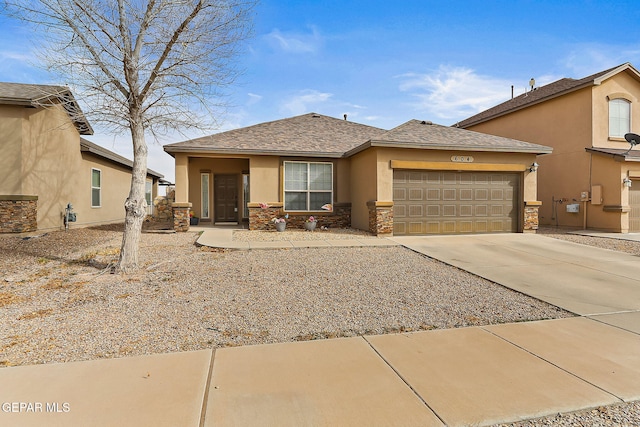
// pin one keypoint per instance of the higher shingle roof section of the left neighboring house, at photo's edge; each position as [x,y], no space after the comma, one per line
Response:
[41,95]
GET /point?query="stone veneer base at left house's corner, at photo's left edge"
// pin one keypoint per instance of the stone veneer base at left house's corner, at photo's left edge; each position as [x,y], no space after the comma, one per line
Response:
[18,214]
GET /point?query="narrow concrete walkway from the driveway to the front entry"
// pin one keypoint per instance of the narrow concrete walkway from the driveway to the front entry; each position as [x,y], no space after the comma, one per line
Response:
[223,238]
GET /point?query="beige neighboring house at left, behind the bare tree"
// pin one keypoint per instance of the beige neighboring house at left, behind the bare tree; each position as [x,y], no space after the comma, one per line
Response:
[45,164]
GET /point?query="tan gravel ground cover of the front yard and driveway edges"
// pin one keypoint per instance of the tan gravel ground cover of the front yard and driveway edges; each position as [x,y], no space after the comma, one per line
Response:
[59,303]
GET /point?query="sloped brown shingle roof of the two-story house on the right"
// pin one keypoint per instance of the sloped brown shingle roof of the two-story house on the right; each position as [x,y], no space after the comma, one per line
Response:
[540,94]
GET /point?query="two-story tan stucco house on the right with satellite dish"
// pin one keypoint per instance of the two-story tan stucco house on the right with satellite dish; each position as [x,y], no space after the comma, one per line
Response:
[591,180]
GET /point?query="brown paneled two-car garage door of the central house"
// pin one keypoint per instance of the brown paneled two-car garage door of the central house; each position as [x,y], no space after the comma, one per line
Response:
[439,202]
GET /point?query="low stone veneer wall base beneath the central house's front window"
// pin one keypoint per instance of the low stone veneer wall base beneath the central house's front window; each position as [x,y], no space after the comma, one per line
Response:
[261,216]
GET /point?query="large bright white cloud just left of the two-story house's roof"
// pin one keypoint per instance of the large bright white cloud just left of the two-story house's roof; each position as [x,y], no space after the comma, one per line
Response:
[454,93]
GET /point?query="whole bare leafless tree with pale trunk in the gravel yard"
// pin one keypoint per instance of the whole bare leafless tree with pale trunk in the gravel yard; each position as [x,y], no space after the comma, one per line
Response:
[141,66]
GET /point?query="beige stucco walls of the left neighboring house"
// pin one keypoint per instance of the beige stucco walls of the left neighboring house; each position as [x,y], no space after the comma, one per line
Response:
[51,166]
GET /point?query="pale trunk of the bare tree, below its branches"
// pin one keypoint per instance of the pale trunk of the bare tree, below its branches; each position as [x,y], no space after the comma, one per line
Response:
[136,204]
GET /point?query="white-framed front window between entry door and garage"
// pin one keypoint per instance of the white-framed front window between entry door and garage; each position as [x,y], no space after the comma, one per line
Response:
[307,186]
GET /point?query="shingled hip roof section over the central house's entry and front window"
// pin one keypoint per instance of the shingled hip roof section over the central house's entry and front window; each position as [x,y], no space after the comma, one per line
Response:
[309,135]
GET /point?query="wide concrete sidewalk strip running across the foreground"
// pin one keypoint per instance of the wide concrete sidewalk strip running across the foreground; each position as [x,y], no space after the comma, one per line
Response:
[455,377]
